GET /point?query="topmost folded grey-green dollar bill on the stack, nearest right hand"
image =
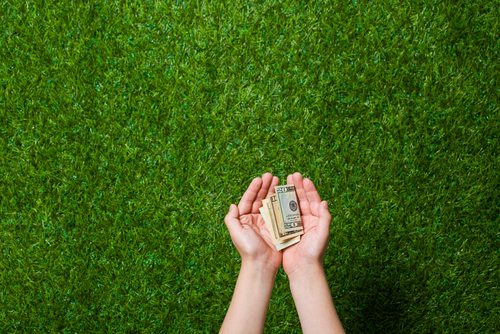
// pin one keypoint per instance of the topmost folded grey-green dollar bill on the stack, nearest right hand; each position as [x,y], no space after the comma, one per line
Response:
[289,208]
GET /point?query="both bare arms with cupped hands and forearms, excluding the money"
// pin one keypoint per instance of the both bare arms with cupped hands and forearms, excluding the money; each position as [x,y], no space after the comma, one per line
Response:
[302,262]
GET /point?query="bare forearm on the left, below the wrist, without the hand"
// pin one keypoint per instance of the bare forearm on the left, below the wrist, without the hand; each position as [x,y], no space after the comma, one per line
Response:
[248,308]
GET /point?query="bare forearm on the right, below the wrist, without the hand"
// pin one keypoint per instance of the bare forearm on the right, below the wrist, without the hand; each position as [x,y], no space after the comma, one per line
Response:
[313,300]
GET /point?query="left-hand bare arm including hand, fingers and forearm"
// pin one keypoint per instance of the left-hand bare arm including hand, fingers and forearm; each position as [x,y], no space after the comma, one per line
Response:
[259,259]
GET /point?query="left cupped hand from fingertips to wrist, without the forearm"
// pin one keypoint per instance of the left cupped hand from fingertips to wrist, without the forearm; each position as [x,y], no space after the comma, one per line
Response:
[248,229]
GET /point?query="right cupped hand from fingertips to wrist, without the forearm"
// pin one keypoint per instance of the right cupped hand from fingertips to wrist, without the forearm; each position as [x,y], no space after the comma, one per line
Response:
[316,220]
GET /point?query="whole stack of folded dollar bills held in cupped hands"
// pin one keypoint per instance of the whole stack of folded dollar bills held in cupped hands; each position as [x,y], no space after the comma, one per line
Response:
[282,216]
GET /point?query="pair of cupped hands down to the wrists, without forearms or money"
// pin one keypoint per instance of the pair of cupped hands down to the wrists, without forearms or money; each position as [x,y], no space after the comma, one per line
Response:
[252,239]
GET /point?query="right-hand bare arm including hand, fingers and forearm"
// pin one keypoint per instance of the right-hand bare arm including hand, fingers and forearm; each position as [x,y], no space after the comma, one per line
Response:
[303,262]
